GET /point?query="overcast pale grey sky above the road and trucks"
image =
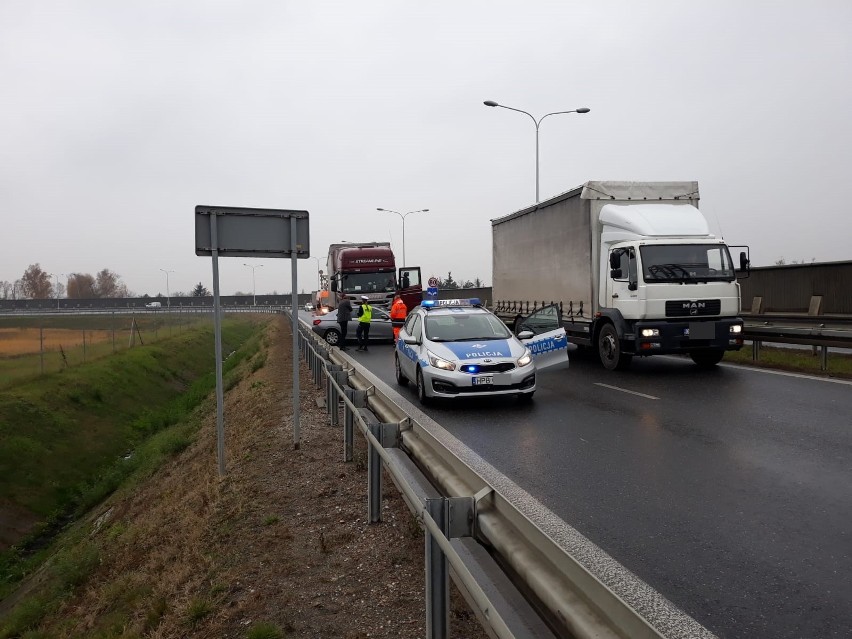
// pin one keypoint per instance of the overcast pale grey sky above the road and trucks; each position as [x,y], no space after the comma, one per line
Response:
[117,118]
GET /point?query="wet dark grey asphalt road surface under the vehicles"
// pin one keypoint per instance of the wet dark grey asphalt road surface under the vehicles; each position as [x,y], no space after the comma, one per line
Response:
[729,491]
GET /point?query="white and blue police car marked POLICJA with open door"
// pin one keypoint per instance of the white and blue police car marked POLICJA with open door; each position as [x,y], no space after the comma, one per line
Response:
[453,348]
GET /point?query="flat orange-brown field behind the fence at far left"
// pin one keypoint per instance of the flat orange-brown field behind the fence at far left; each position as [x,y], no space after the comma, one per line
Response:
[32,346]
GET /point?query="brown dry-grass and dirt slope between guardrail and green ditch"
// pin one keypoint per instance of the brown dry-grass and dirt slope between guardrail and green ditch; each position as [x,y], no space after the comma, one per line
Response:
[280,547]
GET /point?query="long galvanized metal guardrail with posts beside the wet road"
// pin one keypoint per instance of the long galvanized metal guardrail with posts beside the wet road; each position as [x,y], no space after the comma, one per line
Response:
[472,527]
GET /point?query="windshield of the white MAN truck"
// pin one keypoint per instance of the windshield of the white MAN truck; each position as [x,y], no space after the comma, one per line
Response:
[686,263]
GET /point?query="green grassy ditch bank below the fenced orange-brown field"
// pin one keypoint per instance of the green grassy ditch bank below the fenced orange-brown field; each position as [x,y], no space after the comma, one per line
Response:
[70,439]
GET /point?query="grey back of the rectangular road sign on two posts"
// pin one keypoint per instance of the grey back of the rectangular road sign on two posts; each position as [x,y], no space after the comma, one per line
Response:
[244,232]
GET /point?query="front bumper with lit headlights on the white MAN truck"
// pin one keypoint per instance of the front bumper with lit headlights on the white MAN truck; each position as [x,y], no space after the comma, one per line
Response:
[653,338]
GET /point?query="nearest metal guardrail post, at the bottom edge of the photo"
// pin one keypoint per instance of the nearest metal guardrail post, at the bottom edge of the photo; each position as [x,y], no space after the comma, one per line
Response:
[437,576]
